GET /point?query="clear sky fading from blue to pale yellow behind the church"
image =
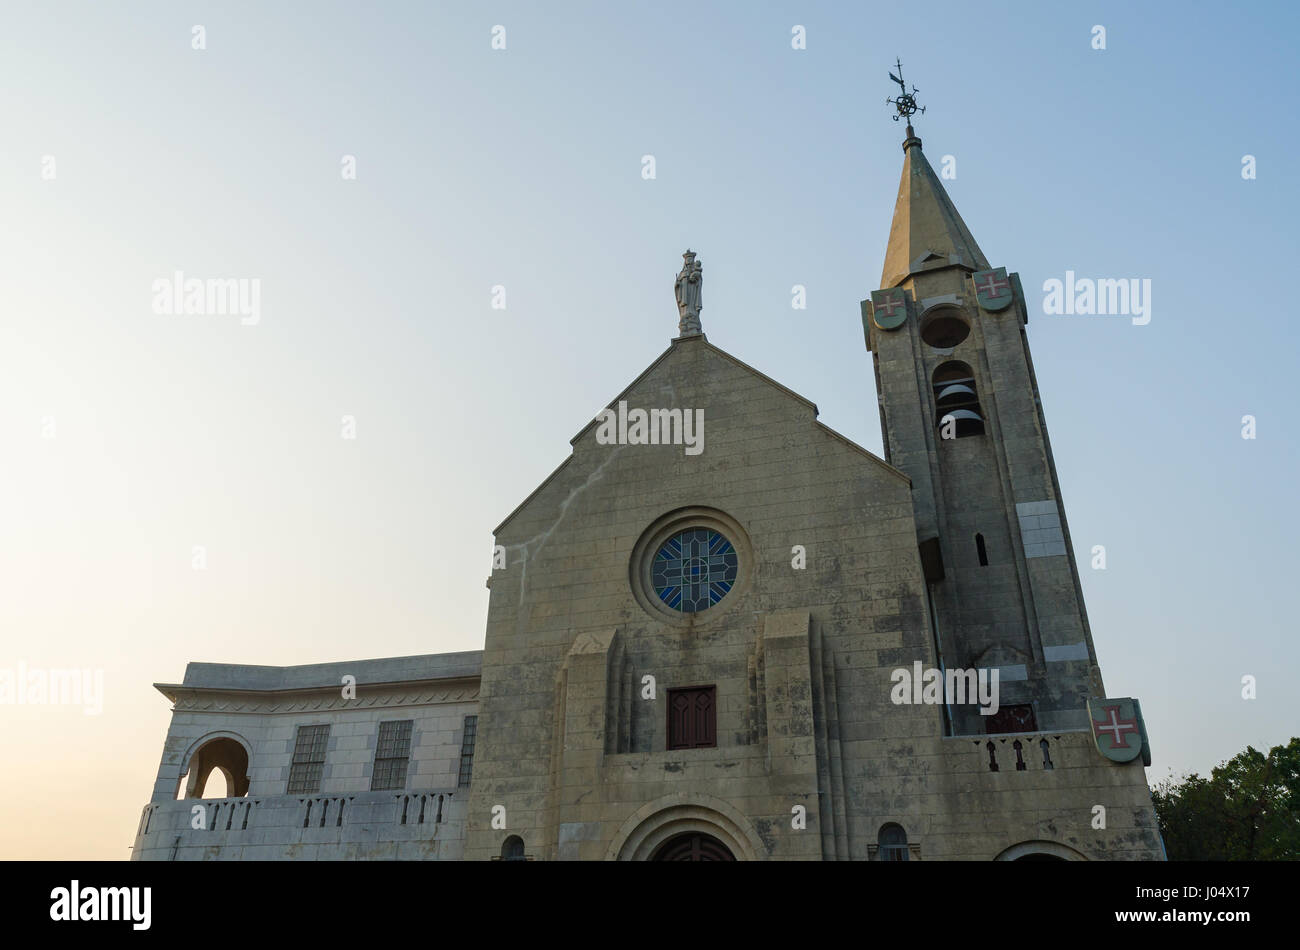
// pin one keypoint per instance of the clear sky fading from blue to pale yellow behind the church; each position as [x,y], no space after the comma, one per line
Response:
[132,437]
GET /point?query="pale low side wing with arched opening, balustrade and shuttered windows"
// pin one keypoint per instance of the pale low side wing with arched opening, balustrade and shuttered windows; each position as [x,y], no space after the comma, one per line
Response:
[317,770]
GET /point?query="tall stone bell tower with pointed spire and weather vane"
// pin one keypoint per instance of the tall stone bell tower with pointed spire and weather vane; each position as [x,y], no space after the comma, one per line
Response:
[960,414]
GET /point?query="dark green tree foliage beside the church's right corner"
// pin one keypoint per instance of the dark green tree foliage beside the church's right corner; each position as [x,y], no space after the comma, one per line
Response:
[1247,810]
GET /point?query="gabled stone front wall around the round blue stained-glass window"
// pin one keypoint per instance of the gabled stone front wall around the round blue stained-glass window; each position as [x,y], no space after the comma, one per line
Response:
[800,658]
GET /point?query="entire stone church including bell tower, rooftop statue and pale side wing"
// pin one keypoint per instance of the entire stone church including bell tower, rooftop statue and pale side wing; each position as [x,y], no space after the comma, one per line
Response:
[710,641]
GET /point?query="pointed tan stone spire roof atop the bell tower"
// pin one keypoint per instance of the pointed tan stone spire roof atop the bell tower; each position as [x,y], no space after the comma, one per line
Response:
[926,225]
